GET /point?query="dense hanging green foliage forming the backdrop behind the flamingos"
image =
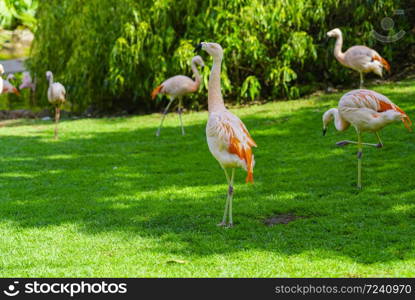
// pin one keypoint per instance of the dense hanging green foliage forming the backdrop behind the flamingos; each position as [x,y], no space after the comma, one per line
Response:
[113,53]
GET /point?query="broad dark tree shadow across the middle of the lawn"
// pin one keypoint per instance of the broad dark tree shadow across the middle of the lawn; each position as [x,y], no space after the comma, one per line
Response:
[170,188]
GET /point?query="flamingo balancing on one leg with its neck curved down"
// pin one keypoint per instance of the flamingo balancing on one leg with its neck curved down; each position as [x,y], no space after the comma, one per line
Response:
[366,111]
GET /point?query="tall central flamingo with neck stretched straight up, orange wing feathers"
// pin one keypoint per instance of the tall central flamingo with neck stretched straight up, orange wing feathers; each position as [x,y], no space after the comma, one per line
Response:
[227,137]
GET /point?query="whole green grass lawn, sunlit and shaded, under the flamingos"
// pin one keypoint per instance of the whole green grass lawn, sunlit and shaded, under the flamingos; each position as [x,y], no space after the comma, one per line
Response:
[111,199]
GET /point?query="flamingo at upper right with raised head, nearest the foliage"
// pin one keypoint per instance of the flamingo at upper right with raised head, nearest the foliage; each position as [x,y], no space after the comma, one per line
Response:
[359,58]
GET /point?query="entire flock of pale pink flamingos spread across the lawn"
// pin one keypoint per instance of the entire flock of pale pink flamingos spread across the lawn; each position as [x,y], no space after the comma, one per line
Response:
[229,140]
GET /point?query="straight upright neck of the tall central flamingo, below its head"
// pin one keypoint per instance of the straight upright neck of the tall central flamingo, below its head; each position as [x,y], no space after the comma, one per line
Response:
[215,100]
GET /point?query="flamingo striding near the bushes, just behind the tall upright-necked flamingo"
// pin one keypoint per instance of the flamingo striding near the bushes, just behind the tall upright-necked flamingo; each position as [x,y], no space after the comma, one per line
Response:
[177,87]
